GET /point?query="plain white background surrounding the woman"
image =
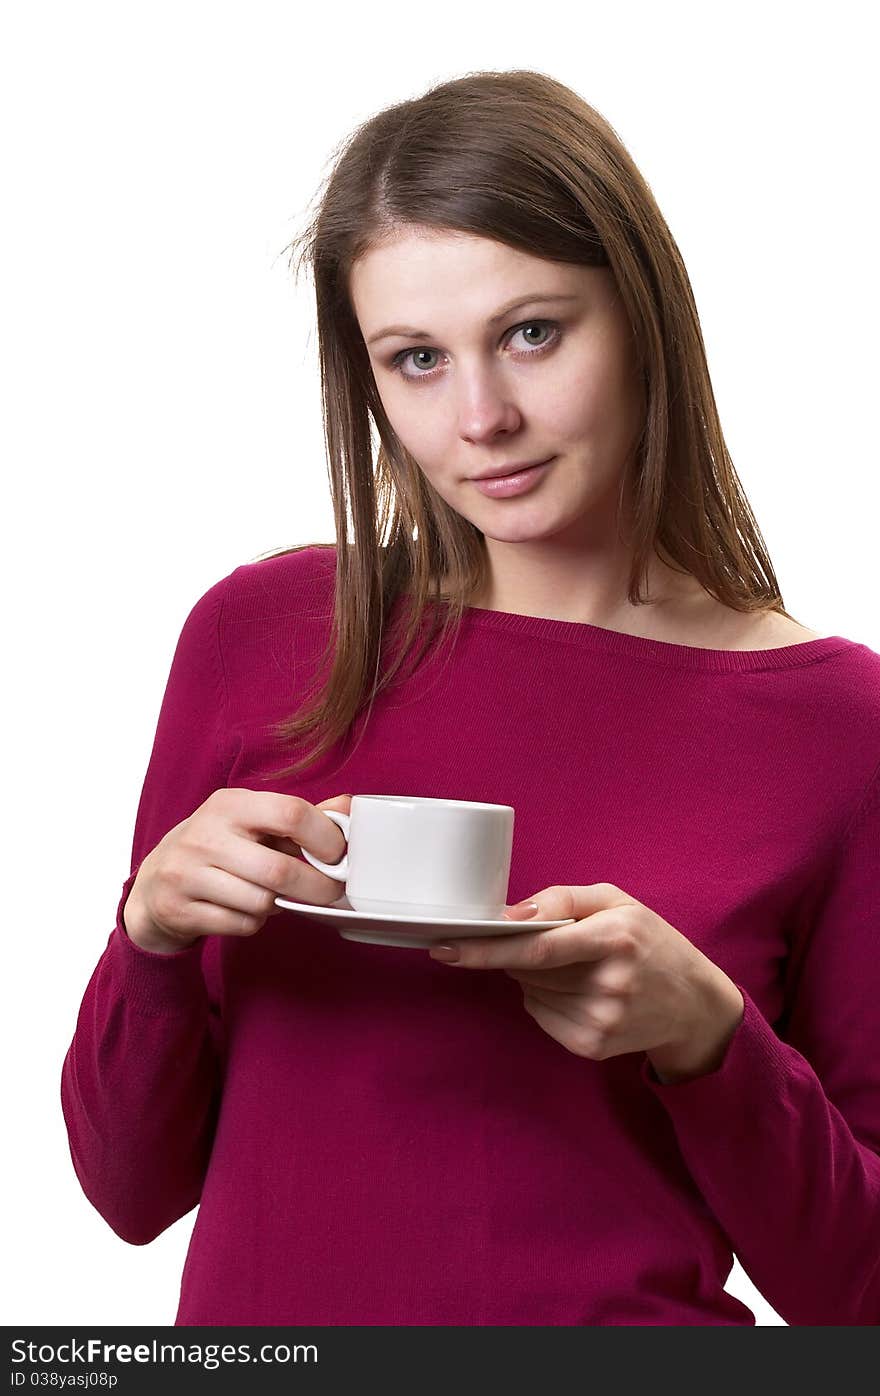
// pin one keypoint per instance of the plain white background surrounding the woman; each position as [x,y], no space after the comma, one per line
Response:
[163,417]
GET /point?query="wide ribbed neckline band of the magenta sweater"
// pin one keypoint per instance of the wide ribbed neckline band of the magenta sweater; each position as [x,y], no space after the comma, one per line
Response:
[657,651]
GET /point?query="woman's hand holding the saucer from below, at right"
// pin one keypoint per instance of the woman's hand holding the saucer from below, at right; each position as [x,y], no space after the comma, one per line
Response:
[621,979]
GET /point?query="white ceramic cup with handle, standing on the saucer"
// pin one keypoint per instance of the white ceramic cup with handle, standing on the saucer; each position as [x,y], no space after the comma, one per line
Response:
[417,856]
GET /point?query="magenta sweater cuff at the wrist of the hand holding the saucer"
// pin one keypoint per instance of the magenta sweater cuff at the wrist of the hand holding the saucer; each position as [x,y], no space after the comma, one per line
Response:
[754,1053]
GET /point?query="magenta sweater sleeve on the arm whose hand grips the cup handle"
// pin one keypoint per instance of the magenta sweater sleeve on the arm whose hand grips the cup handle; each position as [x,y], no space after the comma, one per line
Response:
[140,1083]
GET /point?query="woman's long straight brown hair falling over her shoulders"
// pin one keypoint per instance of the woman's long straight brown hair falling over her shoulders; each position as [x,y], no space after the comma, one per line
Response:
[523,160]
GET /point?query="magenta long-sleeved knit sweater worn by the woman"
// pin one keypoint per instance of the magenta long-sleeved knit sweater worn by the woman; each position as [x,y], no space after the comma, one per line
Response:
[375,1138]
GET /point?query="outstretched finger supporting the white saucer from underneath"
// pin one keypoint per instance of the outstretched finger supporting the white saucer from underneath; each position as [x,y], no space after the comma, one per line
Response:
[585,942]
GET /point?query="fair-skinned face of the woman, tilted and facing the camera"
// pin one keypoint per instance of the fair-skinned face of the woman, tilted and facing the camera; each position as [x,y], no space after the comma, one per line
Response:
[470,386]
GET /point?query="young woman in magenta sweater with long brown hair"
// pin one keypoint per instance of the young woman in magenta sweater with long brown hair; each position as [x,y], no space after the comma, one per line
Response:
[576,1126]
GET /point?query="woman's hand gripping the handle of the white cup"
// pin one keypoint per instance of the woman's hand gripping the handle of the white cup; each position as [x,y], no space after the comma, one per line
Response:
[220,872]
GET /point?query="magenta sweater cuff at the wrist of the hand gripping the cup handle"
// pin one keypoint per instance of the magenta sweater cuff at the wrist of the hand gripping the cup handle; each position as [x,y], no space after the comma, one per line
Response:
[161,986]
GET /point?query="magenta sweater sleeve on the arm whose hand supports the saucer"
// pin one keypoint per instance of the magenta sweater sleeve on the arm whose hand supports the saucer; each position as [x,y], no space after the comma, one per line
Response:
[784,1137]
